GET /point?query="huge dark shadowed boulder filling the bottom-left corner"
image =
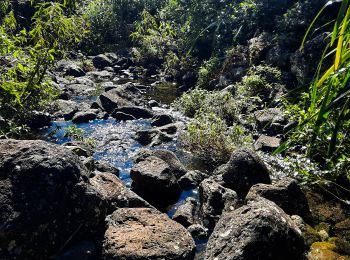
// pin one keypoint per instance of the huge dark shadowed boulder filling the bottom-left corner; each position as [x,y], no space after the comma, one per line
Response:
[41,203]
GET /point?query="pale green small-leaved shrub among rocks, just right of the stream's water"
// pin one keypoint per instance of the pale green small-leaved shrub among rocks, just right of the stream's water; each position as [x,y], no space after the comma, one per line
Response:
[210,136]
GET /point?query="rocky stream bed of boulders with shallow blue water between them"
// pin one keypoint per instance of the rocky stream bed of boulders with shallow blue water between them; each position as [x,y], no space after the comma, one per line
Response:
[138,194]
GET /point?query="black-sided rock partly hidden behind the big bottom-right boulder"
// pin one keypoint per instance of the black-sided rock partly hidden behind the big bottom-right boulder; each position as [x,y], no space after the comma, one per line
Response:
[286,193]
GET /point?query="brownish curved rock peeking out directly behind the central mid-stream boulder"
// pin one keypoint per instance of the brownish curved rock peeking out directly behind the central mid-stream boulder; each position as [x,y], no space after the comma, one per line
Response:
[176,167]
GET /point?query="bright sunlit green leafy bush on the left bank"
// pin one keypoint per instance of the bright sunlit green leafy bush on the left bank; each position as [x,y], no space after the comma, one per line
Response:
[27,54]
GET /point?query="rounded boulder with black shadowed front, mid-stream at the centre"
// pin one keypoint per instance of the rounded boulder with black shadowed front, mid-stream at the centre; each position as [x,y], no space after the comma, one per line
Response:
[152,177]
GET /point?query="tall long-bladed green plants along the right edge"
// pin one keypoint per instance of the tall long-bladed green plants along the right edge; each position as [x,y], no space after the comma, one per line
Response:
[324,121]
